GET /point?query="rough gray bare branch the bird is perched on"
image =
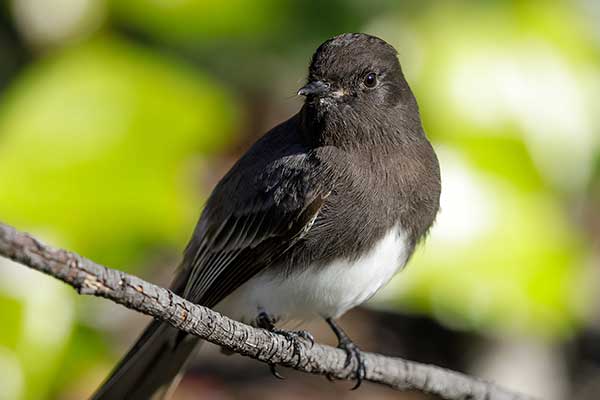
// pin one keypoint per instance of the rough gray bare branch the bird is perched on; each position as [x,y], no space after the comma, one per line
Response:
[89,278]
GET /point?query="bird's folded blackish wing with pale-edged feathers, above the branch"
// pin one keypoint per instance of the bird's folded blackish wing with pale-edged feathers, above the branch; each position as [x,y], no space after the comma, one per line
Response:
[230,248]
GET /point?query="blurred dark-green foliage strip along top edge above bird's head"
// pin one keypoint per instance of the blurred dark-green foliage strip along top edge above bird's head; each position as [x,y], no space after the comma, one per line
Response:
[248,22]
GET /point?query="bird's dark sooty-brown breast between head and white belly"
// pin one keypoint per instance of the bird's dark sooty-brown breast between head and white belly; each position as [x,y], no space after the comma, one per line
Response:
[370,194]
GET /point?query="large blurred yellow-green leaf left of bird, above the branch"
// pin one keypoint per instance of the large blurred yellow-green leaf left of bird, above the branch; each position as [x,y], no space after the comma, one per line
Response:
[94,145]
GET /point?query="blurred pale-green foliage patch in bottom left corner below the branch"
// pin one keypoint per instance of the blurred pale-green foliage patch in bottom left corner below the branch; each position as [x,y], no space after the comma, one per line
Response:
[37,319]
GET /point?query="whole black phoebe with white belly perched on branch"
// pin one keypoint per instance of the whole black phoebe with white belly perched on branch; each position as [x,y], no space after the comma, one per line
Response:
[313,220]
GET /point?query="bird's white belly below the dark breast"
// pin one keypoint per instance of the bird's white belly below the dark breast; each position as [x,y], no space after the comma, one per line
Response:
[327,291]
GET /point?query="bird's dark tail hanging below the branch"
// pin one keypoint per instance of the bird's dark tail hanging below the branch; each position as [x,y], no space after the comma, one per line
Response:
[150,367]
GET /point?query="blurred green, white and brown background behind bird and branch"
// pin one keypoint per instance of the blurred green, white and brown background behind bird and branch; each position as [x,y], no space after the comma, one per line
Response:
[118,117]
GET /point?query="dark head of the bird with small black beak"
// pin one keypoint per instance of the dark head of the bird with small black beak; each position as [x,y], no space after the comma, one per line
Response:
[355,75]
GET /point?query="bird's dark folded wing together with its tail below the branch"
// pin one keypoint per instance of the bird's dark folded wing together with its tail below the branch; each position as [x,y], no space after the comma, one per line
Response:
[244,228]
